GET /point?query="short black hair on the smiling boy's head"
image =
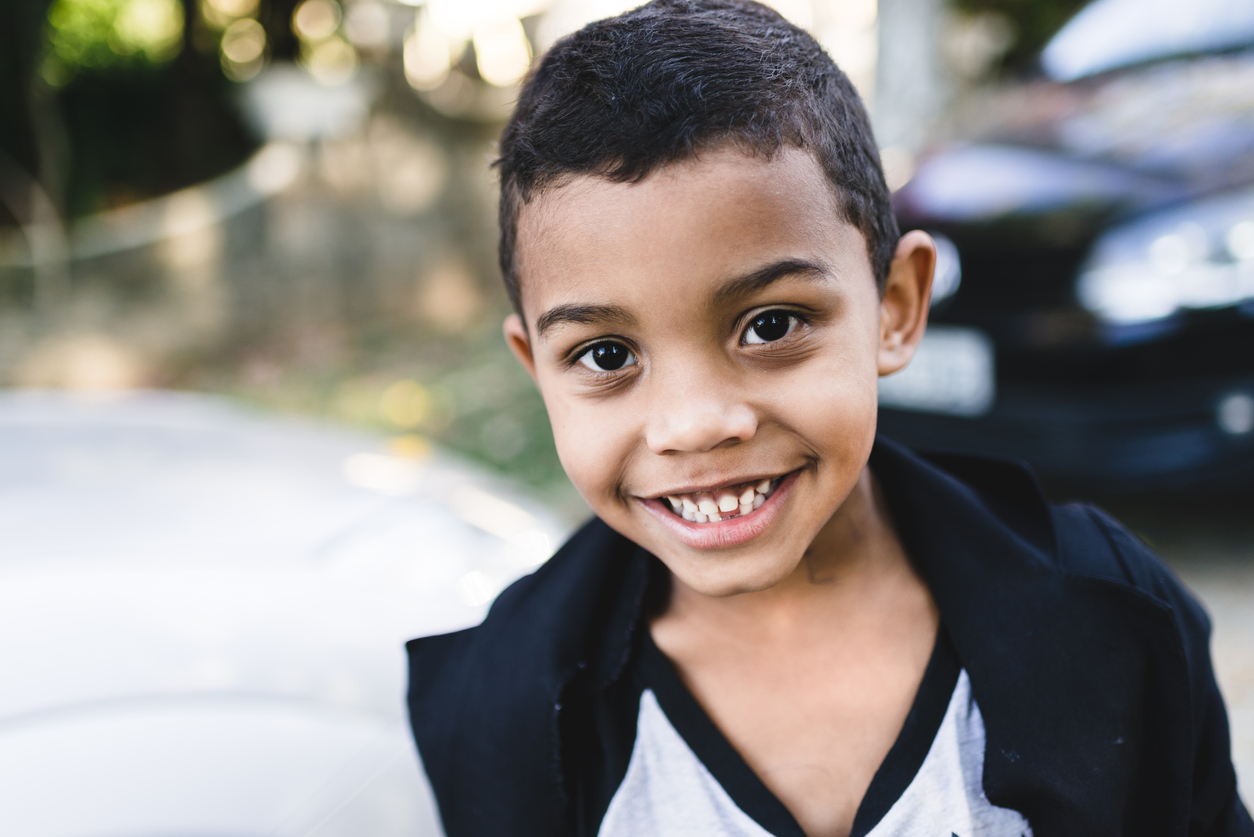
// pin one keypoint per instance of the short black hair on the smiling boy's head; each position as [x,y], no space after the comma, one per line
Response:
[628,96]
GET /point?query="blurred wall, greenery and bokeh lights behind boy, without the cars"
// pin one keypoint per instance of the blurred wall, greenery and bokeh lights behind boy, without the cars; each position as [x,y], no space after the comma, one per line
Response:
[290,203]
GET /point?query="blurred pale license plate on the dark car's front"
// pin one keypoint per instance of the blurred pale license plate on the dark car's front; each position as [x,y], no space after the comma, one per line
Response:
[951,373]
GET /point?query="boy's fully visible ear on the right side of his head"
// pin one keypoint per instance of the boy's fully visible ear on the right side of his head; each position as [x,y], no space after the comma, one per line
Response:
[905,306]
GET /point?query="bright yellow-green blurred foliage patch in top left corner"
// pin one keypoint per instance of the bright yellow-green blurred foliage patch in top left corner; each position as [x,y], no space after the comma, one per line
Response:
[107,35]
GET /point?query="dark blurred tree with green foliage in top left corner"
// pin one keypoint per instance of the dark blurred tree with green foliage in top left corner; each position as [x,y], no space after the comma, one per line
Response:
[107,102]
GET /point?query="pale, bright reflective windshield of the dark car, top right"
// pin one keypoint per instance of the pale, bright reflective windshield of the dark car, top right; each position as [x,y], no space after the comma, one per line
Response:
[1109,35]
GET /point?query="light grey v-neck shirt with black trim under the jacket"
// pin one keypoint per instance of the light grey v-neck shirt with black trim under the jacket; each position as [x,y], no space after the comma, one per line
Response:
[683,777]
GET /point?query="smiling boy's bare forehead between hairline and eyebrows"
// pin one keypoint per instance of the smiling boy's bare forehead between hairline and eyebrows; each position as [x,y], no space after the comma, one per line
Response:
[714,214]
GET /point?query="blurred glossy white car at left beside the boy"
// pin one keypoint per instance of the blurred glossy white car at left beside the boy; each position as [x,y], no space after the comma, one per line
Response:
[203,616]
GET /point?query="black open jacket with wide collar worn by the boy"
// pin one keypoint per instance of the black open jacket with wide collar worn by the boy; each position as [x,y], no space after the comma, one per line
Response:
[1088,658]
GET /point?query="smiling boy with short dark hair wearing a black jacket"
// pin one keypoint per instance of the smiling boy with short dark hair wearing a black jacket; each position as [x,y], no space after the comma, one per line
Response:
[778,624]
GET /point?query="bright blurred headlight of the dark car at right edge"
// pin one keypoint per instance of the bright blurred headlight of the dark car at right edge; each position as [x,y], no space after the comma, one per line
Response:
[1197,257]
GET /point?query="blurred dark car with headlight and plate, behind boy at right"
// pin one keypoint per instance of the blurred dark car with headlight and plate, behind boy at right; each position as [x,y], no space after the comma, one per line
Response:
[1094,309]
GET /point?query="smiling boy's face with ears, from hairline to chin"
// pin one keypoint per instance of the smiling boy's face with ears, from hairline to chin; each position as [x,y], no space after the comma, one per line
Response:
[714,336]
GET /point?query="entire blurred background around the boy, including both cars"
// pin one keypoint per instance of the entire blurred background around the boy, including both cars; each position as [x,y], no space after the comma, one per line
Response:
[250,319]
